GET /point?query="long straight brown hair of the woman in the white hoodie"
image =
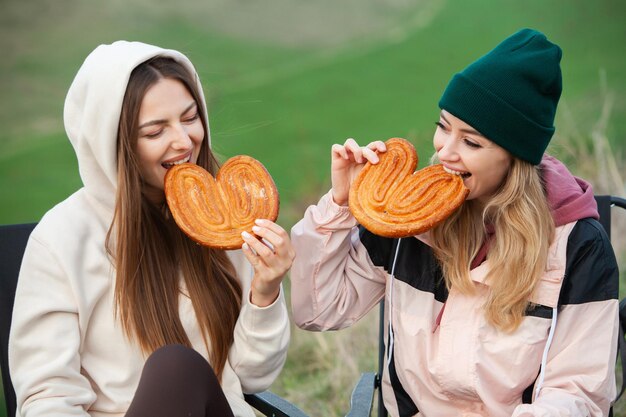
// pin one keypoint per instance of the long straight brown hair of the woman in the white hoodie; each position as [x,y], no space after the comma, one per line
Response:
[151,254]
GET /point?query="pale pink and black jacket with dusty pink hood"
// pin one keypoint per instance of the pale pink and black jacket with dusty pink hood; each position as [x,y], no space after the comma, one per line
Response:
[452,362]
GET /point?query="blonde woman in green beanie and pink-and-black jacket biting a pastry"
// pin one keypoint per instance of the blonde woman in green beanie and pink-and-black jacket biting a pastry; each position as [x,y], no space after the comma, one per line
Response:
[507,308]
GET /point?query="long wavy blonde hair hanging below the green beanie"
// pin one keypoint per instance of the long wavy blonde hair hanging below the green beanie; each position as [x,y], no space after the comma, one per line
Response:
[521,217]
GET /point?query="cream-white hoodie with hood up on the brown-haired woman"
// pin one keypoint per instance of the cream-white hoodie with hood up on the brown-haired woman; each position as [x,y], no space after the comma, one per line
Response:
[68,354]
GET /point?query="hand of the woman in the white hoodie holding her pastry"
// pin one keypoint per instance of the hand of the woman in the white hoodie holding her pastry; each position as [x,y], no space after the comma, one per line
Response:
[271,254]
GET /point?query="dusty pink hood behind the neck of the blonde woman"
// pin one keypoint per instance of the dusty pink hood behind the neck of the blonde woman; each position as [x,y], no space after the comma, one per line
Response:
[570,198]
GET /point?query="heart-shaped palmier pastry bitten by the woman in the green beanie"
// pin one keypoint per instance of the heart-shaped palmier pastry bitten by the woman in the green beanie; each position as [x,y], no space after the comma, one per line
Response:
[390,199]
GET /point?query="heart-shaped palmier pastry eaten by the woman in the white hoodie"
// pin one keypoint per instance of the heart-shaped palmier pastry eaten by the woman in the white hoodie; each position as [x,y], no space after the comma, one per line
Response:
[214,211]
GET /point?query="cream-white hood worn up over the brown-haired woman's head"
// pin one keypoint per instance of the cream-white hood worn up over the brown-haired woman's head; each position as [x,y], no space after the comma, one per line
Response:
[93,106]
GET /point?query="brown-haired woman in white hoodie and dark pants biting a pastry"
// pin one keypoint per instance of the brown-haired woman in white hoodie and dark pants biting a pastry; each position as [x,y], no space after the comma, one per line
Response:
[110,287]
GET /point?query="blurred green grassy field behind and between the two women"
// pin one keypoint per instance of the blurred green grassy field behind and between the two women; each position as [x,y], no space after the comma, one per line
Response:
[285,79]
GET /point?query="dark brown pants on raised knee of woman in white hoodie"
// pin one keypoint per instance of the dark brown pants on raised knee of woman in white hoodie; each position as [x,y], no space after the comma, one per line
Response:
[178,382]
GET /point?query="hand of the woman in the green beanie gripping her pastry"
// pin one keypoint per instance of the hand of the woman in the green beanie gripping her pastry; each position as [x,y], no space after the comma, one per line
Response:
[347,161]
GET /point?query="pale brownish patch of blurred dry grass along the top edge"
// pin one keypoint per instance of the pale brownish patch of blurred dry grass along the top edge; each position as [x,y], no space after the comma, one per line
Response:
[297,24]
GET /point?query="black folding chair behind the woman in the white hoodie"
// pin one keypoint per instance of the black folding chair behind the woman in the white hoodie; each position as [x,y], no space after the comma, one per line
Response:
[13,240]
